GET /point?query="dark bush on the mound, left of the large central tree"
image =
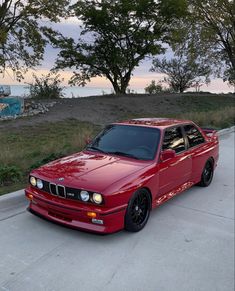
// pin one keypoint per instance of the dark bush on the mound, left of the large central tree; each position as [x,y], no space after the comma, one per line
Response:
[46,87]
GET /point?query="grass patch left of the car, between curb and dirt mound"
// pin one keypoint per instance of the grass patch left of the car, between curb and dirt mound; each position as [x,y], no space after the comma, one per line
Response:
[28,147]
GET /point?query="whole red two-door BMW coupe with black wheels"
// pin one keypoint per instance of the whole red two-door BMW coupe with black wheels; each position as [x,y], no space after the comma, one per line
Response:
[127,170]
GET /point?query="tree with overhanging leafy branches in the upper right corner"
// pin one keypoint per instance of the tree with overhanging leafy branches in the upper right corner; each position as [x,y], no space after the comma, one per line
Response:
[209,30]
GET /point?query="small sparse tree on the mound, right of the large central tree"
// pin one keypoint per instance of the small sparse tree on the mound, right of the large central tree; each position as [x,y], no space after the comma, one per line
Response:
[182,72]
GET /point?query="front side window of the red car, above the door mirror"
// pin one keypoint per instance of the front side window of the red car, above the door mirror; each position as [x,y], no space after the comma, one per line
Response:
[174,140]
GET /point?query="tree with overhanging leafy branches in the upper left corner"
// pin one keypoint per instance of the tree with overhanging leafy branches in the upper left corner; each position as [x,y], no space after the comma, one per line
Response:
[22,28]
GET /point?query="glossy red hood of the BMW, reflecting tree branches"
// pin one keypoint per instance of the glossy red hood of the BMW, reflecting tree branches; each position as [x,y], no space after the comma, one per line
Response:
[92,171]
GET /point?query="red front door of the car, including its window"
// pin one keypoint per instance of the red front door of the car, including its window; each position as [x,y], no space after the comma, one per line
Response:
[178,170]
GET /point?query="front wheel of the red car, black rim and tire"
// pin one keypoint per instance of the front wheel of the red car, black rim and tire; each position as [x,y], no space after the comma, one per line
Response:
[138,211]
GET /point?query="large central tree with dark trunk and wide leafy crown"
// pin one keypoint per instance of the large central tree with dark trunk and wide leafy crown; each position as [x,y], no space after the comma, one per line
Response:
[118,36]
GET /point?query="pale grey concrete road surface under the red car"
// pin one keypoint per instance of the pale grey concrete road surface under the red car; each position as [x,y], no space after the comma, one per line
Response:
[187,245]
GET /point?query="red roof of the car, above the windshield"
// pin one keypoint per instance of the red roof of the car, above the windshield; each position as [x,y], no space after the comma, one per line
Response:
[154,122]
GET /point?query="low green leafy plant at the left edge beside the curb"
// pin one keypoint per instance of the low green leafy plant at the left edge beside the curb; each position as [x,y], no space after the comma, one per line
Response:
[9,174]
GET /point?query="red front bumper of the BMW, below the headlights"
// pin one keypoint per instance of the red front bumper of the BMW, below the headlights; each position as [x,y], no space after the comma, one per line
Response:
[73,215]
